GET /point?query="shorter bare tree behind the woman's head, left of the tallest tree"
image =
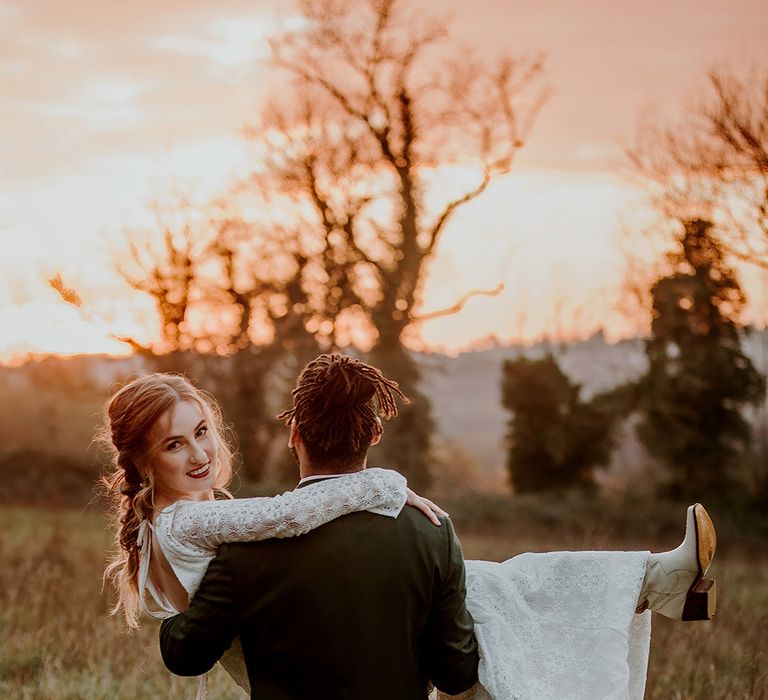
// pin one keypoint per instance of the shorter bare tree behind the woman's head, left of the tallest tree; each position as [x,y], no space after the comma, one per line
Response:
[225,294]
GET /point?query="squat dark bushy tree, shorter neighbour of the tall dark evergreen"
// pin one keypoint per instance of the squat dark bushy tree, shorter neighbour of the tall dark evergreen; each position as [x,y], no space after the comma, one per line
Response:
[556,439]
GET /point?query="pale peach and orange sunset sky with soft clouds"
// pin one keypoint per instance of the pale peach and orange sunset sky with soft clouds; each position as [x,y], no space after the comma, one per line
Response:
[109,105]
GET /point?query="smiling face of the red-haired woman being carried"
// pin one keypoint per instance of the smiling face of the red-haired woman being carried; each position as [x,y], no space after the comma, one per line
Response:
[183,454]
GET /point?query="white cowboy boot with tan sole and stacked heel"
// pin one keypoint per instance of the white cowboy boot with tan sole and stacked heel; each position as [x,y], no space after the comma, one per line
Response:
[674,583]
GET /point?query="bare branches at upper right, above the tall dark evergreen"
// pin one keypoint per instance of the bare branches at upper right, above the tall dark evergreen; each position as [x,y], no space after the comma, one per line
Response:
[713,161]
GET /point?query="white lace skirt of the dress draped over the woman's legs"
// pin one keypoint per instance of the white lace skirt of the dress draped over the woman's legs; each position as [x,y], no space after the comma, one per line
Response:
[560,626]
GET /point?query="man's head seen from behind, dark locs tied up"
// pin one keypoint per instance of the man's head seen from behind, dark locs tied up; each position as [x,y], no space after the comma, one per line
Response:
[335,416]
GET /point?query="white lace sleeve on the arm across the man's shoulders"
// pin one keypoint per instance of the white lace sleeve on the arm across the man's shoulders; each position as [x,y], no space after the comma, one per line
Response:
[207,524]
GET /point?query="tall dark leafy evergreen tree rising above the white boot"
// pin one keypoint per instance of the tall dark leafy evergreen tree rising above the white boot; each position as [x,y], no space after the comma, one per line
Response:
[698,377]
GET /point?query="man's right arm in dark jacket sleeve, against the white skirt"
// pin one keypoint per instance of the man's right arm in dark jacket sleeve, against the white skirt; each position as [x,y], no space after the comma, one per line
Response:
[451,647]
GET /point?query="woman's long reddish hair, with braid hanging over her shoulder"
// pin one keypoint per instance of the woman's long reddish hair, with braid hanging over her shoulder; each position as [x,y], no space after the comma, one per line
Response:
[129,415]
